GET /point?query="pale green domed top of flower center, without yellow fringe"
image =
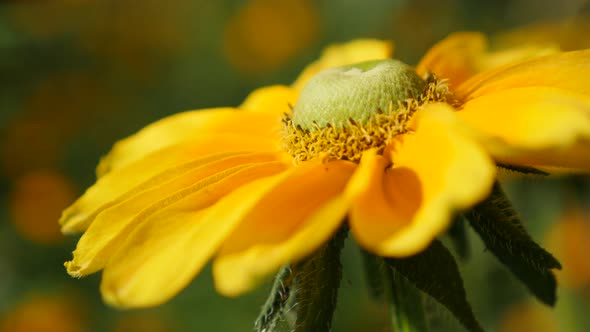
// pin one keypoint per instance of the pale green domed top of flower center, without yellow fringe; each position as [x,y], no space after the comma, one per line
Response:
[355,92]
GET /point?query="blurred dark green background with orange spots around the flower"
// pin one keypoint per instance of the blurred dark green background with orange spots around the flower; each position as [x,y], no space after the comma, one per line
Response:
[77,75]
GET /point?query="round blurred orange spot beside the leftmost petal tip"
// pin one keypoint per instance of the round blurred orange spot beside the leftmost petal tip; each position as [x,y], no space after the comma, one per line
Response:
[36,202]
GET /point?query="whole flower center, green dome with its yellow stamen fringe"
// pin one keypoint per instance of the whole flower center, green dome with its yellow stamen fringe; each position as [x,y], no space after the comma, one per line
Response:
[344,111]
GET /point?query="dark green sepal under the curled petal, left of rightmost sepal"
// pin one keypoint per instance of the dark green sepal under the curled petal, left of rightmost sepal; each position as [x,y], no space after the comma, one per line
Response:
[435,272]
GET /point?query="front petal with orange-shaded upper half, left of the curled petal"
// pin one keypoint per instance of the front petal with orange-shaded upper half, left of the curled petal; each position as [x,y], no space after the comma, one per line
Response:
[289,223]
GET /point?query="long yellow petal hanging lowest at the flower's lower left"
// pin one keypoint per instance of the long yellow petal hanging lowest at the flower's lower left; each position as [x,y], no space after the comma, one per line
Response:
[164,254]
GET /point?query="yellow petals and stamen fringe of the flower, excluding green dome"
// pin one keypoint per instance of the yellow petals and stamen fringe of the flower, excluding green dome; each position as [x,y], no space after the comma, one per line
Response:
[240,186]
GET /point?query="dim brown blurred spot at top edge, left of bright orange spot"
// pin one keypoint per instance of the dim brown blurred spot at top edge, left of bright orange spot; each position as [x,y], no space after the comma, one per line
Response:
[135,37]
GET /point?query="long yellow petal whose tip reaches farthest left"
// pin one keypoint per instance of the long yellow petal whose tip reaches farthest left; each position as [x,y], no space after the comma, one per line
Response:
[154,168]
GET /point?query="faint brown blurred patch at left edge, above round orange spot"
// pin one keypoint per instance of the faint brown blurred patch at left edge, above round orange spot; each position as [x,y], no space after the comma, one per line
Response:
[57,109]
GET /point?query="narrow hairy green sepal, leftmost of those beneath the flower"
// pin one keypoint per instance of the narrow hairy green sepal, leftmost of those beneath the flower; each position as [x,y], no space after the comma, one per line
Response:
[273,309]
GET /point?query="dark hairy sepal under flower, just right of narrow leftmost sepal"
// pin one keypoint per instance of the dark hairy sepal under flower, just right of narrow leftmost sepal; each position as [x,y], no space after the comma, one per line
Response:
[317,280]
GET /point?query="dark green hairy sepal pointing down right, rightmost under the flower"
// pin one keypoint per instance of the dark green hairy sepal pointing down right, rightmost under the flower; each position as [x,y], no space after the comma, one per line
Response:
[499,227]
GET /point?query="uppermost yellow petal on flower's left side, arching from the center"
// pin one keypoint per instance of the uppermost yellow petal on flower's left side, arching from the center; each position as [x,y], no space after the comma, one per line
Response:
[188,126]
